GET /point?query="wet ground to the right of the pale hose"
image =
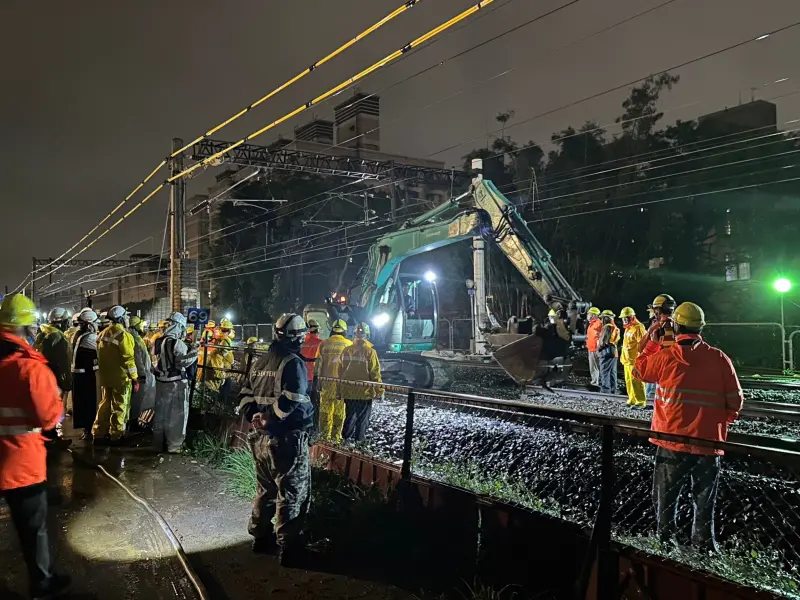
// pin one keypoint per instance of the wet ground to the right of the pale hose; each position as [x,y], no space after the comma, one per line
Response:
[211,524]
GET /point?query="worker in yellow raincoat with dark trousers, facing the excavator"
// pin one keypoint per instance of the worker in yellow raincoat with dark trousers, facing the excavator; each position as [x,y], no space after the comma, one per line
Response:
[359,363]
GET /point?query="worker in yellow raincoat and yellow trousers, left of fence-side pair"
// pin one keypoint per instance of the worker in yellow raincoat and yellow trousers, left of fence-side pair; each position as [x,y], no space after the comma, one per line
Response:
[331,407]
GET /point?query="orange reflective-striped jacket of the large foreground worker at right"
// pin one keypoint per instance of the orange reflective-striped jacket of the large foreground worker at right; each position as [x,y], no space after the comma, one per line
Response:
[697,392]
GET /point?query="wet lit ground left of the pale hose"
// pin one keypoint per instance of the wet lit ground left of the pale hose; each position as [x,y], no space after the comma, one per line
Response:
[108,543]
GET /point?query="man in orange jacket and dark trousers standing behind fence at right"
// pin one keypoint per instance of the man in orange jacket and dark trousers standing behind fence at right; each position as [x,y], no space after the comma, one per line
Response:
[697,395]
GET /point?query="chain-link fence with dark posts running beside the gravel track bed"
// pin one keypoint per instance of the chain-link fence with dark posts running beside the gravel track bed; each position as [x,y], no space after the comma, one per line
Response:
[735,516]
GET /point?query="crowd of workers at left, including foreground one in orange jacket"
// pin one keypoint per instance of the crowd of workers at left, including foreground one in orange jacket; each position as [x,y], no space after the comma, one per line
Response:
[104,375]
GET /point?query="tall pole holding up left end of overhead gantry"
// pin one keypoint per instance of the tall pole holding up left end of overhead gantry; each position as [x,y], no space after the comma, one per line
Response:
[183,273]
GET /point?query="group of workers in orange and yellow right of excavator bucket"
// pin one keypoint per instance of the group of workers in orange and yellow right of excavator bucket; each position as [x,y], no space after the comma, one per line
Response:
[695,393]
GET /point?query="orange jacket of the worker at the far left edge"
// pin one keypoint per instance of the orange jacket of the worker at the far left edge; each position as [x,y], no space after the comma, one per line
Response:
[29,402]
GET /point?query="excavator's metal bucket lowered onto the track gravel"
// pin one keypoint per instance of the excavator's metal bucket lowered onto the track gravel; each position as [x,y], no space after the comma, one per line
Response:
[521,357]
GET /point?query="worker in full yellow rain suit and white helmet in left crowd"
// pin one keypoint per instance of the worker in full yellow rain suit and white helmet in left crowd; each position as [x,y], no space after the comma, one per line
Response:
[118,378]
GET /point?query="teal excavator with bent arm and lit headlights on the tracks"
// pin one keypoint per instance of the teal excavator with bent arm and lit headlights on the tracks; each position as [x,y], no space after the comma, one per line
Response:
[403,307]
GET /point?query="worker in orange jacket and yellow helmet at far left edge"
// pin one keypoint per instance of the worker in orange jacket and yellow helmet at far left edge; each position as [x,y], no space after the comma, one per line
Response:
[30,402]
